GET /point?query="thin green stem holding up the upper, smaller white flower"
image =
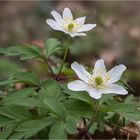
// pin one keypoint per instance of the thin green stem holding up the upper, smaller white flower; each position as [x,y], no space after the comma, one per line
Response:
[64,58]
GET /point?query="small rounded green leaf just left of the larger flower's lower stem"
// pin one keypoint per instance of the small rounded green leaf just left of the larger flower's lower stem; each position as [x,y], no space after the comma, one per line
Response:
[71,126]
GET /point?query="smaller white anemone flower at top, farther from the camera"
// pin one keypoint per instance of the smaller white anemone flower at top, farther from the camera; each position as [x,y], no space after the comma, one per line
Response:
[68,25]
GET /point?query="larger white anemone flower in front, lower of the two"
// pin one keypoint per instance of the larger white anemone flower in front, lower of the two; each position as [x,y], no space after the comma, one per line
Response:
[99,82]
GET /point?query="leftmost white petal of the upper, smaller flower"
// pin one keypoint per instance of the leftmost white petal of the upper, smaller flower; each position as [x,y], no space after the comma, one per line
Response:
[53,24]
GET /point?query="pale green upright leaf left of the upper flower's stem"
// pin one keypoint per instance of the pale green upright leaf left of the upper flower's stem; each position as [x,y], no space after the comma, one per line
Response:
[52,45]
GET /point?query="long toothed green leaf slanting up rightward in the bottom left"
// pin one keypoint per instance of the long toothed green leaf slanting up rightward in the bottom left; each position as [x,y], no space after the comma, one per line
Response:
[29,128]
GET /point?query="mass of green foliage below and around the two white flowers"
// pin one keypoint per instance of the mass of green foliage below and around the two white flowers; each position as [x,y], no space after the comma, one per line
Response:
[47,108]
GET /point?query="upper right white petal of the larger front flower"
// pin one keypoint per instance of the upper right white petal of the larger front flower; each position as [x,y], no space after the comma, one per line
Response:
[116,73]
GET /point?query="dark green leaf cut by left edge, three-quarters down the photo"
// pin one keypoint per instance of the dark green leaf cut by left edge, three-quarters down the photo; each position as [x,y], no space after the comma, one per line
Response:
[15,112]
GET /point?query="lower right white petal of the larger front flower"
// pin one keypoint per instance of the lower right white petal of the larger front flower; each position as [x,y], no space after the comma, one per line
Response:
[117,89]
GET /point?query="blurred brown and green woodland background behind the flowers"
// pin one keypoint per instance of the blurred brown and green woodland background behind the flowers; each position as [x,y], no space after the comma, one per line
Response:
[116,37]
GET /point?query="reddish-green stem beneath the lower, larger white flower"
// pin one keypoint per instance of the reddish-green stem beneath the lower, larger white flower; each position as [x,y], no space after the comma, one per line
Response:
[94,117]
